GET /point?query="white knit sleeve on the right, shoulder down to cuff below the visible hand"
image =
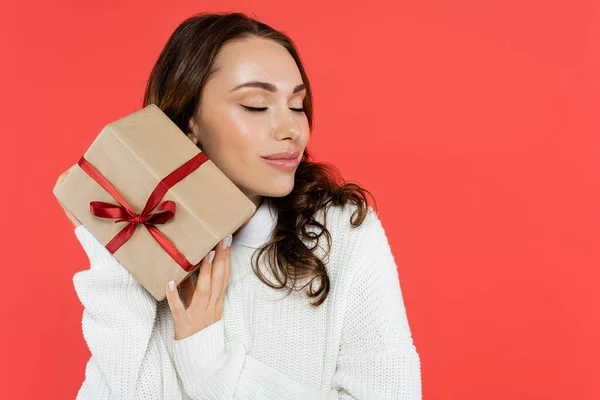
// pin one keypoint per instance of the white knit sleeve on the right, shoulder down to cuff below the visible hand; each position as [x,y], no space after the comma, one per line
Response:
[377,358]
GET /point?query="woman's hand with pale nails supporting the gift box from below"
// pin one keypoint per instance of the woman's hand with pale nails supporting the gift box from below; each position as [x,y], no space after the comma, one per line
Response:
[205,300]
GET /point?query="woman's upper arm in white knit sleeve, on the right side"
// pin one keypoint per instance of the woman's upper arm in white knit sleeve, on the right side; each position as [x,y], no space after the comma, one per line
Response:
[377,359]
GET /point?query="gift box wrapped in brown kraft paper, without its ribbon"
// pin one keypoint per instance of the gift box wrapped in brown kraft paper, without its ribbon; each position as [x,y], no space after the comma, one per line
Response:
[134,154]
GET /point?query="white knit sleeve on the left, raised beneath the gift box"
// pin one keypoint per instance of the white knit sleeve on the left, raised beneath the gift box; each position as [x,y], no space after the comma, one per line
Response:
[128,356]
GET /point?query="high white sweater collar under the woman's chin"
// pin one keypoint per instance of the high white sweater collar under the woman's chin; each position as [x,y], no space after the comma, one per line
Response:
[258,230]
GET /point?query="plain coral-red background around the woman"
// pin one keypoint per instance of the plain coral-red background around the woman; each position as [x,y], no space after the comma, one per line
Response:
[474,123]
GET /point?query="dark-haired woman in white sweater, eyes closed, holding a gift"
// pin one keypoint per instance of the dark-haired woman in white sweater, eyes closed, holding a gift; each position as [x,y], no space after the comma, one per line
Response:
[237,88]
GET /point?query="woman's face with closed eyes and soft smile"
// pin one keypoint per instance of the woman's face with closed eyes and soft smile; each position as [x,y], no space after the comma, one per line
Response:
[241,122]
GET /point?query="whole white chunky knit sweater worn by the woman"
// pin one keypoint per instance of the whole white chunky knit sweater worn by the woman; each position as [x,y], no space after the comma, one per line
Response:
[356,345]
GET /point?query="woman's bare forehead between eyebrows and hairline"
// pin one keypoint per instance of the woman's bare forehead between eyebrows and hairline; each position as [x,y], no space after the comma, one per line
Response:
[256,59]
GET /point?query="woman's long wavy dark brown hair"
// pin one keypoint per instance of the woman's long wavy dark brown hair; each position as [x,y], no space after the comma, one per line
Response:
[175,86]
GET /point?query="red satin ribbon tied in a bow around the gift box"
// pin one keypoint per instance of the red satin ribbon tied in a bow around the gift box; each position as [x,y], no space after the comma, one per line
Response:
[124,213]
